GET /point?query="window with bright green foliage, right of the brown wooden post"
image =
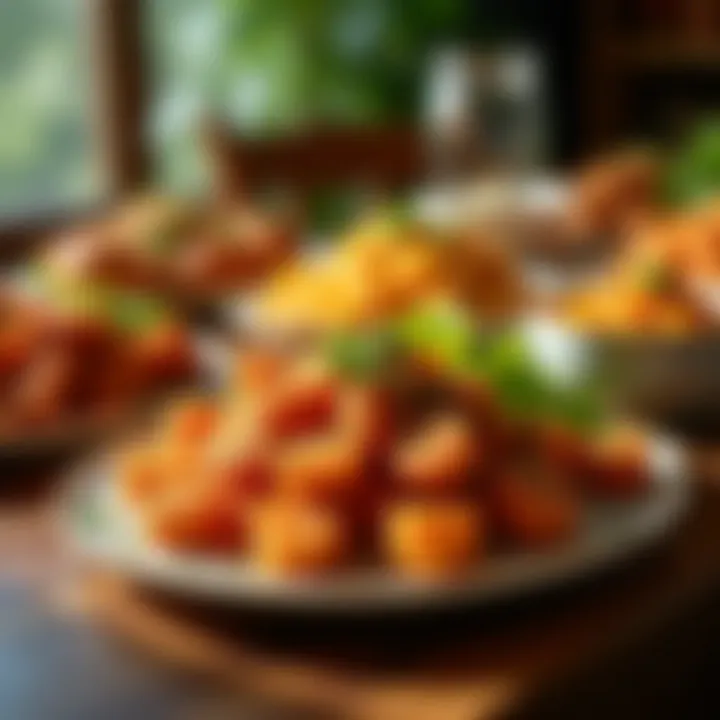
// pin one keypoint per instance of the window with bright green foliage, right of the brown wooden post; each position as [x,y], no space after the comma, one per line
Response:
[267,65]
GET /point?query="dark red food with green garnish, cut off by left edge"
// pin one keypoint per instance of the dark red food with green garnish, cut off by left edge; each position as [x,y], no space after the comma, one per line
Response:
[74,372]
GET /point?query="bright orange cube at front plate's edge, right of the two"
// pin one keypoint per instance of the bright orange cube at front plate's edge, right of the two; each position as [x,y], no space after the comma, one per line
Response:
[431,539]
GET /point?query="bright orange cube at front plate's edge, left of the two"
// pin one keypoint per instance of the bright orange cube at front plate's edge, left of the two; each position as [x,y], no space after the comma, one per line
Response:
[292,538]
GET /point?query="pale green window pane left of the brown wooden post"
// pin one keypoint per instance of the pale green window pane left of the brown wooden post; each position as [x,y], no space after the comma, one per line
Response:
[47,155]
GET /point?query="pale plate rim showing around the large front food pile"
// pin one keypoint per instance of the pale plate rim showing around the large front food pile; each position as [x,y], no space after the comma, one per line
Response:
[103,529]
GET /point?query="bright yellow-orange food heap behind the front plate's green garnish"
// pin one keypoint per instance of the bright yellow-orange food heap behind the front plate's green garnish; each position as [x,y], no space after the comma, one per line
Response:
[382,269]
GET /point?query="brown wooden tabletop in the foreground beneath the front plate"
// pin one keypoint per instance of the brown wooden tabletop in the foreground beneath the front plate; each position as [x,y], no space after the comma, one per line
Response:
[639,642]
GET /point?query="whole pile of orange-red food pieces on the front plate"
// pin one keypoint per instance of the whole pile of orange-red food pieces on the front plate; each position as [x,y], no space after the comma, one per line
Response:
[312,470]
